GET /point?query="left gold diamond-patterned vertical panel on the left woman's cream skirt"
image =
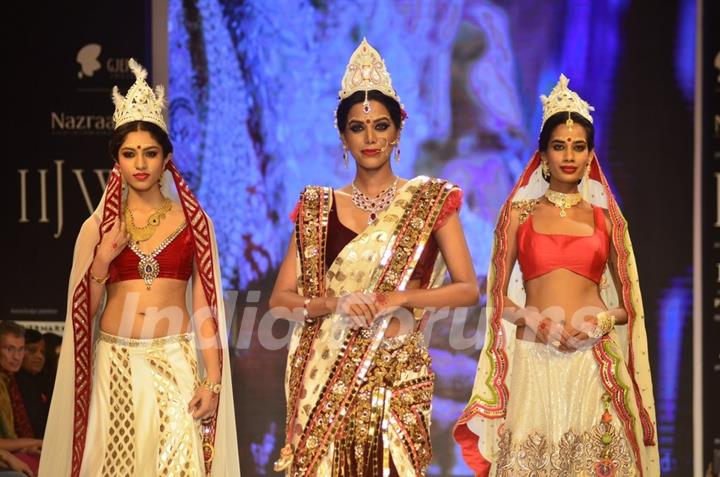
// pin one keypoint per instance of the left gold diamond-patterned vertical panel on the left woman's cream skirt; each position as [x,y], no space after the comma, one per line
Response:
[120,450]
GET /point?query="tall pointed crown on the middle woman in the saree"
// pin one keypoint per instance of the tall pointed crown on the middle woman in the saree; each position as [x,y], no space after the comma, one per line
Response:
[366,71]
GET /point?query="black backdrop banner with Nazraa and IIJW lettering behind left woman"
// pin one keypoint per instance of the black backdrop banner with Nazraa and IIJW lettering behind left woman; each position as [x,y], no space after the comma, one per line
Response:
[59,162]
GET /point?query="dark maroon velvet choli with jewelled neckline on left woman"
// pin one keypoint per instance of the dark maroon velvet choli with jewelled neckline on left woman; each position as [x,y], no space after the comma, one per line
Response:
[174,256]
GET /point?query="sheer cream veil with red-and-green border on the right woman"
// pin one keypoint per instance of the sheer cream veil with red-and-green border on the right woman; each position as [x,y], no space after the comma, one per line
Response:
[620,357]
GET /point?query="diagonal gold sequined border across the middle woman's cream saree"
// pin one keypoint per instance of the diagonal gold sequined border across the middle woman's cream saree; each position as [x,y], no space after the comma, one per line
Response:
[356,353]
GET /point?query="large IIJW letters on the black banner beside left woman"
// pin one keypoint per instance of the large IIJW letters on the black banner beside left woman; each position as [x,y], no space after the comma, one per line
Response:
[41,192]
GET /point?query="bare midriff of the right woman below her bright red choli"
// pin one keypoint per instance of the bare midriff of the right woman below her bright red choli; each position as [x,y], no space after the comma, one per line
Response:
[564,297]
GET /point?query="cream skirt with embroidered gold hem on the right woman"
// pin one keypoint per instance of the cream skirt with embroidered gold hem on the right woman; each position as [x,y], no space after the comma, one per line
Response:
[560,421]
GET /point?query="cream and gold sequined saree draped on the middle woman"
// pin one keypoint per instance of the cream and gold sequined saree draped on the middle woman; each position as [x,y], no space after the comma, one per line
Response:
[359,402]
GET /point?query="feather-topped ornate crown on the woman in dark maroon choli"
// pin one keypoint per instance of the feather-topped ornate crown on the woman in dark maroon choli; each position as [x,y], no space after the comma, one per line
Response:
[140,103]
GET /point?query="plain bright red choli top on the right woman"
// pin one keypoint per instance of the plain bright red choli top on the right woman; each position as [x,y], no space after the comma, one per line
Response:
[585,255]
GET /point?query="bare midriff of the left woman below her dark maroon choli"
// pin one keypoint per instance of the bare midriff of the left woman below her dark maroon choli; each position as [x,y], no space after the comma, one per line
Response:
[133,311]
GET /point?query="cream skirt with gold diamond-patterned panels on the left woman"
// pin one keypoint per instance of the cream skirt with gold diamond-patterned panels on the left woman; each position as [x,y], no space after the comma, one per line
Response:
[139,423]
